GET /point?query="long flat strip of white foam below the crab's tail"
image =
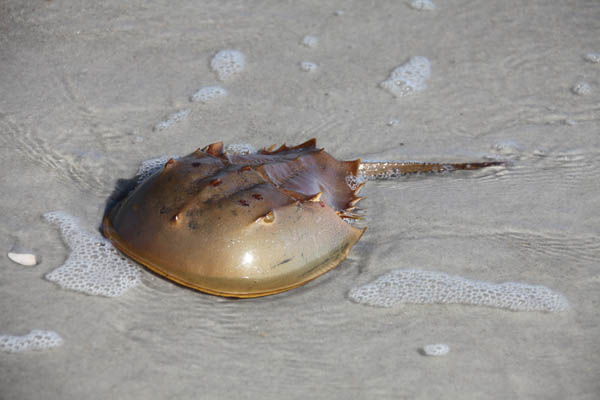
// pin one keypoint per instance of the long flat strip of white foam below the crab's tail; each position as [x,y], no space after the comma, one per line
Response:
[428,287]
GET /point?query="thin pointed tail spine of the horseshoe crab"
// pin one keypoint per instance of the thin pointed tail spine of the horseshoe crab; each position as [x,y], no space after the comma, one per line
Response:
[379,170]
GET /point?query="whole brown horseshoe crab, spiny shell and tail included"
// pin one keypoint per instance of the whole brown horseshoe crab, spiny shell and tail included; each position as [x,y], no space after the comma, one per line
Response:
[249,225]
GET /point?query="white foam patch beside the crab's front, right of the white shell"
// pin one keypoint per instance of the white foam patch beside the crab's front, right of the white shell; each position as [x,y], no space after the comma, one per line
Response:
[94,266]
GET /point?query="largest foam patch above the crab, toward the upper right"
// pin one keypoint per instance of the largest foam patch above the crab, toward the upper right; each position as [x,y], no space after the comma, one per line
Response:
[408,78]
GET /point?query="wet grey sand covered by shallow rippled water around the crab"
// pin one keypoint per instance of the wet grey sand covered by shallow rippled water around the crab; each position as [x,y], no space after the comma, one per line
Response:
[92,89]
